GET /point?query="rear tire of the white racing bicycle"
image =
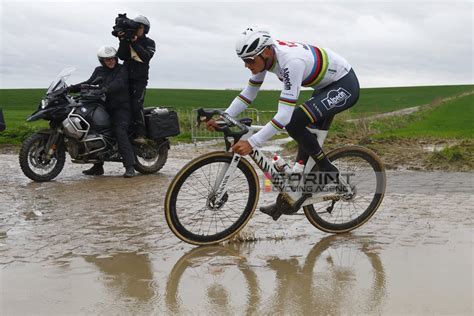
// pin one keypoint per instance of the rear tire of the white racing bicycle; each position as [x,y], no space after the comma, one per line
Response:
[316,218]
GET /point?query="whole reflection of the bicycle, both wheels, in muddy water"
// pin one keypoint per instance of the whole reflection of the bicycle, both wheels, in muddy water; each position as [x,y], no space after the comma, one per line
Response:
[339,275]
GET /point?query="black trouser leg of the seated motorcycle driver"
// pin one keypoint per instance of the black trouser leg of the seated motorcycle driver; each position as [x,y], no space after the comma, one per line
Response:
[121,123]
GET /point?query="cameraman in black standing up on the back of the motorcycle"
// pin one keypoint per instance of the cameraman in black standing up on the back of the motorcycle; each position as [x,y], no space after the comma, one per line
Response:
[136,54]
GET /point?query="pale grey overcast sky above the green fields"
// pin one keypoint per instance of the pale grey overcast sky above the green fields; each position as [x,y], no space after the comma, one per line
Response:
[388,43]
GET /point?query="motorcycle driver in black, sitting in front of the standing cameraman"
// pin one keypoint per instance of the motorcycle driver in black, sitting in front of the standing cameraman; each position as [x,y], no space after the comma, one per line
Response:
[113,80]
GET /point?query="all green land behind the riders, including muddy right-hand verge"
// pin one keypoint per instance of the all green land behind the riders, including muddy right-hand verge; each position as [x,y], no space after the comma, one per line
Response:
[400,140]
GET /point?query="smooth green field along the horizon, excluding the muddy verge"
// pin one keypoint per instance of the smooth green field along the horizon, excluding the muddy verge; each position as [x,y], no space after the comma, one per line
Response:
[18,104]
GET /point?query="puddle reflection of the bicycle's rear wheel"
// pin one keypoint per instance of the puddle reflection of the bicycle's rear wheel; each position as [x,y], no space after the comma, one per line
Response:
[339,275]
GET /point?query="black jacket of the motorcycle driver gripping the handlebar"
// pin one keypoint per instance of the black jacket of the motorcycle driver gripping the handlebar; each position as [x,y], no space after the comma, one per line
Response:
[115,84]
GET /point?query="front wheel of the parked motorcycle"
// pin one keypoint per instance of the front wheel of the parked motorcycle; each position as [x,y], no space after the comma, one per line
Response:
[33,161]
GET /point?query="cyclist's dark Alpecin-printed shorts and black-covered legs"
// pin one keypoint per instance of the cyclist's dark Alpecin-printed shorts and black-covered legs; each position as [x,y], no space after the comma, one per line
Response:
[319,110]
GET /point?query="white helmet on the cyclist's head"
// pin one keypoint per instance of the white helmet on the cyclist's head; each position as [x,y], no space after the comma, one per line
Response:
[253,41]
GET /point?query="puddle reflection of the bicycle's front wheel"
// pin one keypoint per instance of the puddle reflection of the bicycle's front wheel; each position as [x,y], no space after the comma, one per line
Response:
[218,273]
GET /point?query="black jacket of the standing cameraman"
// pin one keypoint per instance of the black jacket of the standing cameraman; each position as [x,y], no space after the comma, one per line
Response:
[145,48]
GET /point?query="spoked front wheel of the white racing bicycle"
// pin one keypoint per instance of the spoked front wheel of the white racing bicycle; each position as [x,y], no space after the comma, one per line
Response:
[190,207]
